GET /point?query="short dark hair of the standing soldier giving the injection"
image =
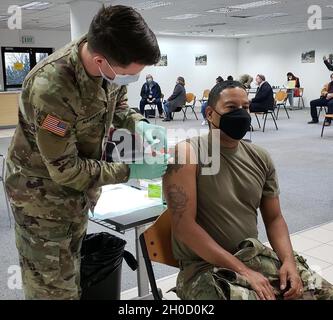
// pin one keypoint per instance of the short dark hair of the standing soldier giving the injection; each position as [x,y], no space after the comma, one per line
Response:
[121,35]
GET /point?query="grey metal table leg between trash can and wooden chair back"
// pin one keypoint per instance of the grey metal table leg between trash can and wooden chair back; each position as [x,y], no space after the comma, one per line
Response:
[142,276]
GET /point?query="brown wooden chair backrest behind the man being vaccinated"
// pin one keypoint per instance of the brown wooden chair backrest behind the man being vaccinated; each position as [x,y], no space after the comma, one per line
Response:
[158,240]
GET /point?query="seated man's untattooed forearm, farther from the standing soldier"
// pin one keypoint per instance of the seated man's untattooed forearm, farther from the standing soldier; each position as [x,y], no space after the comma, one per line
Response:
[278,235]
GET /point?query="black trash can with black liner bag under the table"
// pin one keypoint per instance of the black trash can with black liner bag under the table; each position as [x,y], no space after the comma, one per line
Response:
[101,261]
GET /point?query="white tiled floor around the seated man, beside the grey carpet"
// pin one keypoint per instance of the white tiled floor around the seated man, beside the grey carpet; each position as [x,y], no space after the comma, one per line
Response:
[315,245]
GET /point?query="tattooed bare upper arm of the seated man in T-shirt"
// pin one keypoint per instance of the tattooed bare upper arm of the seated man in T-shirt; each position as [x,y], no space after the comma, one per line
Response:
[179,187]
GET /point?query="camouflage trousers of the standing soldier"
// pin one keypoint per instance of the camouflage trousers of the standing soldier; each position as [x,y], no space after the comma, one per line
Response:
[49,254]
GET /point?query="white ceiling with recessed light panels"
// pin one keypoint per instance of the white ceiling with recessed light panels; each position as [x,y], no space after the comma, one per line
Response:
[207,23]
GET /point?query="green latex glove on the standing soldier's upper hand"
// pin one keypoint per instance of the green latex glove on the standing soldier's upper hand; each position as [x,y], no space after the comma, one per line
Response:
[155,136]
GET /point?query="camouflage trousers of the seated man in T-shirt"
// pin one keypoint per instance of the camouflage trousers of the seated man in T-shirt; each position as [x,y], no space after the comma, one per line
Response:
[202,281]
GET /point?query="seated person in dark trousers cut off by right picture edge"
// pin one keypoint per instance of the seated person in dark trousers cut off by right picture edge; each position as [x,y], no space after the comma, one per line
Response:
[326,99]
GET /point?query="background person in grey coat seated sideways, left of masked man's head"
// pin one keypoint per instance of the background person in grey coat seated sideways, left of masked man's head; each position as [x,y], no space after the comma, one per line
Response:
[176,100]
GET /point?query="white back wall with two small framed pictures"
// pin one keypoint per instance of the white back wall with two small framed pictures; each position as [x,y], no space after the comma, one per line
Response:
[181,51]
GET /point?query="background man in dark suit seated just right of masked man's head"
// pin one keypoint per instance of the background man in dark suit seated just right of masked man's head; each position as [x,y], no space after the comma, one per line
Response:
[264,99]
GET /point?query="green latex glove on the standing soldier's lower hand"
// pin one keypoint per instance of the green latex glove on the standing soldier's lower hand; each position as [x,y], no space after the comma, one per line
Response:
[151,168]
